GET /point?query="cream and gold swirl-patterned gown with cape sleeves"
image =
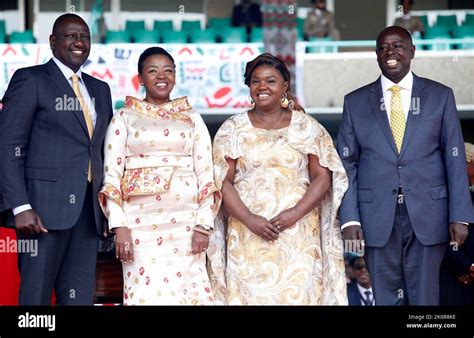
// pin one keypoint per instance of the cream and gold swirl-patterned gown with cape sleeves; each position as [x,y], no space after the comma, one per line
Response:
[305,265]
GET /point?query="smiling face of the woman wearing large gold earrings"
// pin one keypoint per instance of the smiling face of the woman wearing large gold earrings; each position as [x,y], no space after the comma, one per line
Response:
[267,87]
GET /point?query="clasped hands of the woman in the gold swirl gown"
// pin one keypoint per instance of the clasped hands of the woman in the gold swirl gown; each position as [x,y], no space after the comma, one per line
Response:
[269,230]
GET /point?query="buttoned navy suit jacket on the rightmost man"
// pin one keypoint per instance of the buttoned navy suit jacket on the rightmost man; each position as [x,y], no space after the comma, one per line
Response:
[431,167]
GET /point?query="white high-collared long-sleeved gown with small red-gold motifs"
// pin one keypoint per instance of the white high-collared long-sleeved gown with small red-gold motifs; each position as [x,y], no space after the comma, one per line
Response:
[159,183]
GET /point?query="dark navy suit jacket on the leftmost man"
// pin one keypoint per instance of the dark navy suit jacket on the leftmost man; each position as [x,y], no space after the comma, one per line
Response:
[46,148]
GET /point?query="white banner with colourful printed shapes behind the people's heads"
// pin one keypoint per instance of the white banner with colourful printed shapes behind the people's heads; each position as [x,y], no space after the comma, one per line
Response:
[211,75]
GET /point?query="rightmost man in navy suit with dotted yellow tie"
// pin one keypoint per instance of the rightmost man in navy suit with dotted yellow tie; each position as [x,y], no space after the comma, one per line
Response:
[401,144]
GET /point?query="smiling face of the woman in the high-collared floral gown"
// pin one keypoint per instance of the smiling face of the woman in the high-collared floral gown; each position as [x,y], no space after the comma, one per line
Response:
[158,77]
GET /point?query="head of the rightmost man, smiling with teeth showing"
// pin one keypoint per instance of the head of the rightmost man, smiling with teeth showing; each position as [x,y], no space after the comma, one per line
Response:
[394,53]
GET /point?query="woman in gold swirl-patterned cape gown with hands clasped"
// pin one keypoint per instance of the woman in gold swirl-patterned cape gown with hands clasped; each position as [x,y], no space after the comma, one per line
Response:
[282,183]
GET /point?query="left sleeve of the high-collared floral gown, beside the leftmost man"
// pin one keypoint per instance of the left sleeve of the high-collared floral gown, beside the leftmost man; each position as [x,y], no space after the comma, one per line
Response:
[110,196]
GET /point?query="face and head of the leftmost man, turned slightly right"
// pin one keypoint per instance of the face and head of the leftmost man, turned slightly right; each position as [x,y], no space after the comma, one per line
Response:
[70,42]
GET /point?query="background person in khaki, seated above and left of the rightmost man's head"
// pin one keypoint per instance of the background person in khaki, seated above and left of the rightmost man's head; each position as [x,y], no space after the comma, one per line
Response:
[320,22]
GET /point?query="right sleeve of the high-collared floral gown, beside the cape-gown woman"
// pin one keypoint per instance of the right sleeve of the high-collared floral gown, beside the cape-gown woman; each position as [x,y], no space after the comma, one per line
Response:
[209,196]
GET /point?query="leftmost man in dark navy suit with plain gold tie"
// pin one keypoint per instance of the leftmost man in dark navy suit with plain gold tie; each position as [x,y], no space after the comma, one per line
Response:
[53,126]
